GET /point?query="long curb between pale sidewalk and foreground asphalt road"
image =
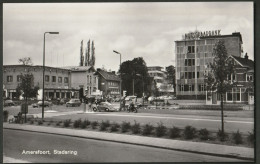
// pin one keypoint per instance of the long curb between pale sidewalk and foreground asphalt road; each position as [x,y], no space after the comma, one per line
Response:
[139,144]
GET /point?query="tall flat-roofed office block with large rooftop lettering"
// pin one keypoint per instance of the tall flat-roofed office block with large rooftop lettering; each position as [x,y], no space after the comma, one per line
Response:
[192,56]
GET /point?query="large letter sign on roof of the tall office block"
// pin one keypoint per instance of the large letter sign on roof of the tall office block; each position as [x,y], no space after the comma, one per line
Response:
[197,34]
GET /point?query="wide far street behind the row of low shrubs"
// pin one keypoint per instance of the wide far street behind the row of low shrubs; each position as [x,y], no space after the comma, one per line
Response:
[234,120]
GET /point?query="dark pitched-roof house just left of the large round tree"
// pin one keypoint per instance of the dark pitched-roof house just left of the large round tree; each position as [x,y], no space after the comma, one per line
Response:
[109,83]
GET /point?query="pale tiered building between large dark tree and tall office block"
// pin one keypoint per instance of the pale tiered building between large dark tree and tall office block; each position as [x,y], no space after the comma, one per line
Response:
[159,76]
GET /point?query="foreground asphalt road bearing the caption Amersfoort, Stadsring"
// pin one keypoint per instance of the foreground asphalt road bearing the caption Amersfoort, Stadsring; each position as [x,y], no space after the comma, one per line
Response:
[16,143]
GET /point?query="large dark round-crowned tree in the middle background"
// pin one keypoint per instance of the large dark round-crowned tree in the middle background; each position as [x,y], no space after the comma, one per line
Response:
[134,71]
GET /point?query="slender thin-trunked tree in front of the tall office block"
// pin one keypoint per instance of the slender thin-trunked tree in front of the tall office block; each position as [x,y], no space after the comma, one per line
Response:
[218,73]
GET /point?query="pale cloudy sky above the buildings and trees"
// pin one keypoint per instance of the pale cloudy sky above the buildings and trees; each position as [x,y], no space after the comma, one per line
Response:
[147,30]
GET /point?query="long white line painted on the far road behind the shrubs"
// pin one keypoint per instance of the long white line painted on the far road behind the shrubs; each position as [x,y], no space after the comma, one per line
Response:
[180,118]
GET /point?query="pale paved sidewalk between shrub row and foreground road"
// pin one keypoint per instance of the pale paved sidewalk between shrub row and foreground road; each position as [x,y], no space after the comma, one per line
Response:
[187,146]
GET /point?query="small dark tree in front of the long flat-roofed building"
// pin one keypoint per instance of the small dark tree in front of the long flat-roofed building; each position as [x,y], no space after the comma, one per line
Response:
[26,88]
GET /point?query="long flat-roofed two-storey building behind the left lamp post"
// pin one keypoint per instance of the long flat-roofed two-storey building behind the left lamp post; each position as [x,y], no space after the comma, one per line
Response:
[57,80]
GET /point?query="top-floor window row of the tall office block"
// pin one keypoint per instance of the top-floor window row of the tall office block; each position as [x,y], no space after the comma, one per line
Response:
[191,49]
